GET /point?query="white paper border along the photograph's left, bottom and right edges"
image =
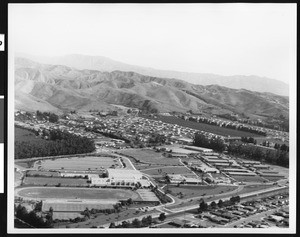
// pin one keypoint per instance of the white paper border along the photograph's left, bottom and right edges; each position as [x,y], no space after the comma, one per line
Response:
[10,184]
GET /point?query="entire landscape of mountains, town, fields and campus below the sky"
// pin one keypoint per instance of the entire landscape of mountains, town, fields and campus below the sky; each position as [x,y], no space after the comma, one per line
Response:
[105,144]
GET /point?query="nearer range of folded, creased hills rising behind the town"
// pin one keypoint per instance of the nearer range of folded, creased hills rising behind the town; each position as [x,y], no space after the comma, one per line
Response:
[58,88]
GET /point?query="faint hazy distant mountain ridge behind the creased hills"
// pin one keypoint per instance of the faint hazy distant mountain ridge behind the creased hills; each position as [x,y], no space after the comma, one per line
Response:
[253,83]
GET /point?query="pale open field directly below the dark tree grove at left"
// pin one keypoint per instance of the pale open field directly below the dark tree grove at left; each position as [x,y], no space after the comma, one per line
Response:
[88,163]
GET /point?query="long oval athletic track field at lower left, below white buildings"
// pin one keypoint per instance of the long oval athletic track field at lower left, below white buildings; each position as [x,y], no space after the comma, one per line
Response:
[76,193]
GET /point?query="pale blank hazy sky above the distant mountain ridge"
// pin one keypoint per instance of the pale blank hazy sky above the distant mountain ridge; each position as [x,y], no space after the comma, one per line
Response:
[225,39]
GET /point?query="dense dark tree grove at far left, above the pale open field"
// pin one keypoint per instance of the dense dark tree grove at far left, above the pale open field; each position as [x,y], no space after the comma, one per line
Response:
[60,143]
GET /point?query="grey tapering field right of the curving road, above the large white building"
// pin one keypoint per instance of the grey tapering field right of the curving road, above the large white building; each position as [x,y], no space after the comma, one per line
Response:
[150,156]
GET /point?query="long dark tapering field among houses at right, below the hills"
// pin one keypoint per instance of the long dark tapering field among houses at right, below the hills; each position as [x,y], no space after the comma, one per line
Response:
[205,127]
